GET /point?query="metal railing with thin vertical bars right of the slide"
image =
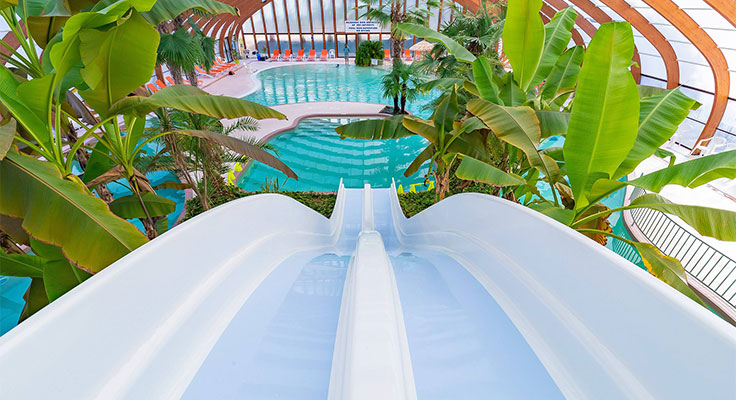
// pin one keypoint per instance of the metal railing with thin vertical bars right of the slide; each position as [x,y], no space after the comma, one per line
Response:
[709,266]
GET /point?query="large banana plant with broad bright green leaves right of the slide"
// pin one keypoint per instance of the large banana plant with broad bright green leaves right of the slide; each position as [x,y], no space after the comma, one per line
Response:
[608,130]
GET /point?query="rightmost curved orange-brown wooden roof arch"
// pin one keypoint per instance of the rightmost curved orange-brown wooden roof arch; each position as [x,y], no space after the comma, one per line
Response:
[708,48]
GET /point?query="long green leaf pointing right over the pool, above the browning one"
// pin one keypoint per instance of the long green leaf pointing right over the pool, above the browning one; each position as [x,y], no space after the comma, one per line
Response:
[191,99]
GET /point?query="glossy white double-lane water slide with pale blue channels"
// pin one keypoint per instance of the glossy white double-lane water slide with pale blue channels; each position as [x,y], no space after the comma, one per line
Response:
[474,298]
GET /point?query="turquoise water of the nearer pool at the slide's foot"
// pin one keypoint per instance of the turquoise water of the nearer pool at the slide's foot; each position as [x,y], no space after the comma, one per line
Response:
[320,158]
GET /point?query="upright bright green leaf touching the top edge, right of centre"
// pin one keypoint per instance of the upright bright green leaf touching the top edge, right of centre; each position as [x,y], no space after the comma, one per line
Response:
[523,39]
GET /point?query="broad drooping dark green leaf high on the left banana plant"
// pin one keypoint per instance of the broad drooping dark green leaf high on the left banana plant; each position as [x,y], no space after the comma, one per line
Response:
[117,61]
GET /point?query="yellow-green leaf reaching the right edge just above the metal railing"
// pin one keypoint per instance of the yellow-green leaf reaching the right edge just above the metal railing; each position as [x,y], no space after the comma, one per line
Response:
[713,222]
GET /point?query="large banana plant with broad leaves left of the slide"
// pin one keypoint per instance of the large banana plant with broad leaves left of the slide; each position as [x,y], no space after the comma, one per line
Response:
[104,53]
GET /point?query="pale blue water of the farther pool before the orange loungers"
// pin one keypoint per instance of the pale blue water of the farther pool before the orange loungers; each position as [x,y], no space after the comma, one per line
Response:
[328,82]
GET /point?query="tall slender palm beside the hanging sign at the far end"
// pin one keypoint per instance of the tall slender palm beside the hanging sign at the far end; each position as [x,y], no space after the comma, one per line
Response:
[392,13]
